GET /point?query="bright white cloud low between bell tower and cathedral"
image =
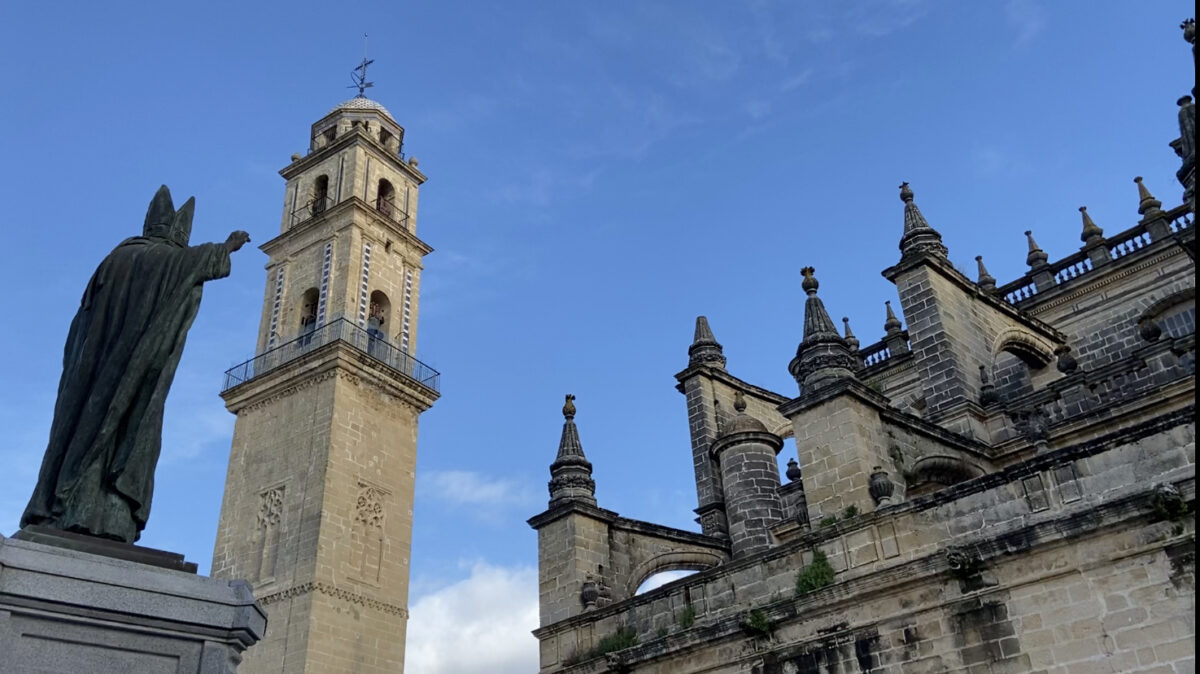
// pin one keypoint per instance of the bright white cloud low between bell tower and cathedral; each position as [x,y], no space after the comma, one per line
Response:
[479,624]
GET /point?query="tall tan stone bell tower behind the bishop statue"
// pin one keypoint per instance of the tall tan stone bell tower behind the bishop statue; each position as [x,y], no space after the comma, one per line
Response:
[319,502]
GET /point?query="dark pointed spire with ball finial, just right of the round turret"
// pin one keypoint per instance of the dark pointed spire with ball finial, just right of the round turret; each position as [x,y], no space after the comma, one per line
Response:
[823,354]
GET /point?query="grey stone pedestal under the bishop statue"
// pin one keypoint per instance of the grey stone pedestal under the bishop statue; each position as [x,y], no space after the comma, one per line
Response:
[65,611]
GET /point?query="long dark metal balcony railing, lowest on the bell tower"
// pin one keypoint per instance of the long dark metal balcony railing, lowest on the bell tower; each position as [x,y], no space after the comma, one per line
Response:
[340,330]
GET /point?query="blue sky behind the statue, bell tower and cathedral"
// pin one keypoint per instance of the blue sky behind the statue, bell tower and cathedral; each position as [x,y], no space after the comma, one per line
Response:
[599,176]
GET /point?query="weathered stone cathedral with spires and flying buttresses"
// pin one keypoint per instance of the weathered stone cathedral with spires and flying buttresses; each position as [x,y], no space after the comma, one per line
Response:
[1004,483]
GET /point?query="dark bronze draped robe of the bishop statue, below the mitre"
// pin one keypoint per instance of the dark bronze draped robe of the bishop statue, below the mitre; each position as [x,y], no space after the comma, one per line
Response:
[119,362]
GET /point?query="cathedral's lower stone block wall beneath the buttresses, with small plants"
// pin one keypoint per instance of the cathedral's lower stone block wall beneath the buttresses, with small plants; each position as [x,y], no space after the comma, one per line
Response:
[1072,568]
